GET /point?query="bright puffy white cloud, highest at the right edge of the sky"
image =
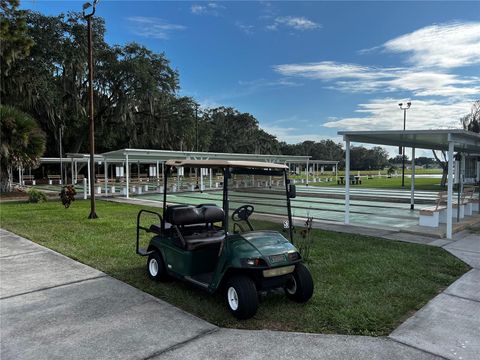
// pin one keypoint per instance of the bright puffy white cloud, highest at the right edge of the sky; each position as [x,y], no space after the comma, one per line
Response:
[445,46]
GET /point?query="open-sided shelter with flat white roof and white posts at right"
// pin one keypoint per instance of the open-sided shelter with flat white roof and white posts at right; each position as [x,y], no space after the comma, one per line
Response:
[448,140]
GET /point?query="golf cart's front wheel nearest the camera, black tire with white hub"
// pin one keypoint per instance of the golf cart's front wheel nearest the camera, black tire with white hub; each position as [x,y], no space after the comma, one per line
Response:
[242,291]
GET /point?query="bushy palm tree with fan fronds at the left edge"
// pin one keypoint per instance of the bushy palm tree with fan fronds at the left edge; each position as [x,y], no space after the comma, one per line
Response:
[22,143]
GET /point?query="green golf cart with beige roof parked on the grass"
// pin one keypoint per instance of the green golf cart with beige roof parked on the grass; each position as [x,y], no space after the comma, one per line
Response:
[205,246]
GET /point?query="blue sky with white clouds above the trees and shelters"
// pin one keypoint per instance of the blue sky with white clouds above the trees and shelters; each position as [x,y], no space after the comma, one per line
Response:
[306,70]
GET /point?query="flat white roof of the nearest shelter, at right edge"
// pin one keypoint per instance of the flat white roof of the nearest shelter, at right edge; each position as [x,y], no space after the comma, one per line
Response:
[465,141]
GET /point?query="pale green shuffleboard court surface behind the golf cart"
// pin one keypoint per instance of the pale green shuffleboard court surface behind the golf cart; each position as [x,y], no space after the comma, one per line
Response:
[386,213]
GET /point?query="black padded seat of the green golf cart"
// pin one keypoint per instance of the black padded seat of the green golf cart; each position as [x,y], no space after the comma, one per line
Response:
[194,224]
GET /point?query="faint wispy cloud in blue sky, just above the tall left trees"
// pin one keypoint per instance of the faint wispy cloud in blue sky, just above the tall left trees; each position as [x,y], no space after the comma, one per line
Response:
[152,27]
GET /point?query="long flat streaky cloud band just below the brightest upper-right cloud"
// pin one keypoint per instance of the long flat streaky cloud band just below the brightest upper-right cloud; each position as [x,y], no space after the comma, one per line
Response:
[358,78]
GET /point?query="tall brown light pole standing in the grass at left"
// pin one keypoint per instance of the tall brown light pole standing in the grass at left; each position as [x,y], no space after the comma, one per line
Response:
[88,17]
